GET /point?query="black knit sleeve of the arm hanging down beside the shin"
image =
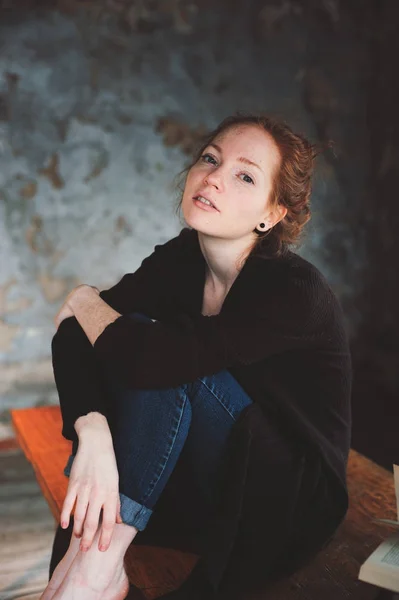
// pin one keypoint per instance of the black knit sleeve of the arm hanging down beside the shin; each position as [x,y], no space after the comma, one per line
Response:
[78,374]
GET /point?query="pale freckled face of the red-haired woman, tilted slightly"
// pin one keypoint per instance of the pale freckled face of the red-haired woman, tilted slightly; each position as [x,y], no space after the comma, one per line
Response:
[238,190]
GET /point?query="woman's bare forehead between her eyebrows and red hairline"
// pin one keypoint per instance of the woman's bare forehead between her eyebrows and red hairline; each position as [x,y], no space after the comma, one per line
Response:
[250,141]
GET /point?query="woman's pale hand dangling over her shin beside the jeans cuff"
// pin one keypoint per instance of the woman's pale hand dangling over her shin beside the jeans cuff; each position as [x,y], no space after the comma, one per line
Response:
[94,484]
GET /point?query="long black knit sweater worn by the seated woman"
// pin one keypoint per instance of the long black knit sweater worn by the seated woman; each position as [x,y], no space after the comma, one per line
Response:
[280,333]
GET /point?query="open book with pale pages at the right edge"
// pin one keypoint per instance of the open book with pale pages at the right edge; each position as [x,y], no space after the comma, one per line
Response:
[382,566]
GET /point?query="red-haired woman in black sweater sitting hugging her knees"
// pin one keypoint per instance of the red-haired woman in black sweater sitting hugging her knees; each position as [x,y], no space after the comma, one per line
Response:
[207,395]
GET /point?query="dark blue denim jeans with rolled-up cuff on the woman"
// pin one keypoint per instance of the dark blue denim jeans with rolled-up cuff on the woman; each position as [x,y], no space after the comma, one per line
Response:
[150,428]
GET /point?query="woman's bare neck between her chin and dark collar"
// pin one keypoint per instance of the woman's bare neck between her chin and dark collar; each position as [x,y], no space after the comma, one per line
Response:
[224,258]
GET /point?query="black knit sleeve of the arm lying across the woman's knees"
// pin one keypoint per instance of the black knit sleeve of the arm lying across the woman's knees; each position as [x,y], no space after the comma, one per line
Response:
[288,313]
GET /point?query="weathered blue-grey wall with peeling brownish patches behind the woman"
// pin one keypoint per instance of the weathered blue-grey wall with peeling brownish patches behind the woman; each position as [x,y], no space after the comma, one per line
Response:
[96,118]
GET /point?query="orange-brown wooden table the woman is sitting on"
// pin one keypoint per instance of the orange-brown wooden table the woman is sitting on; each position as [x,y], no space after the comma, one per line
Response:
[330,576]
